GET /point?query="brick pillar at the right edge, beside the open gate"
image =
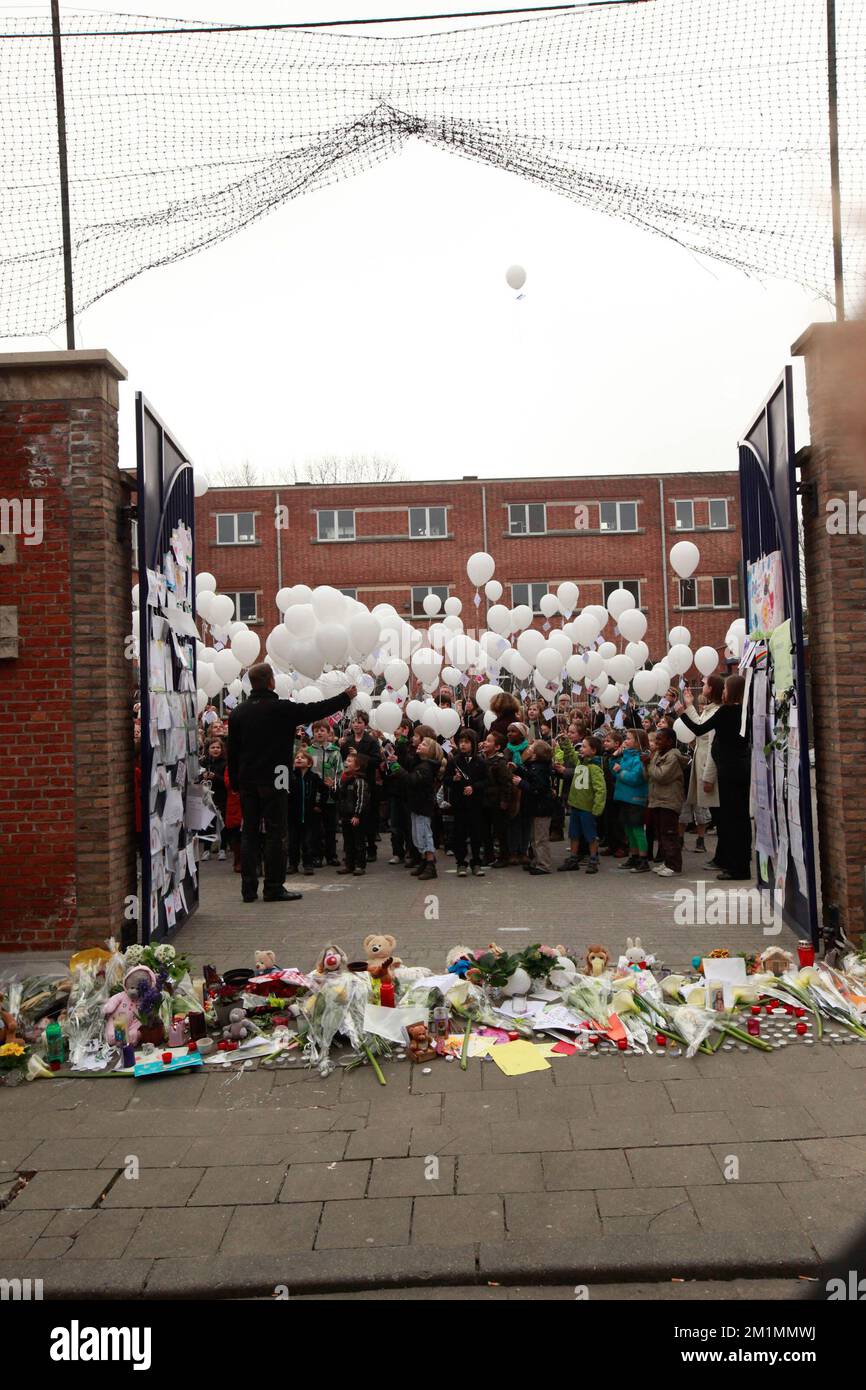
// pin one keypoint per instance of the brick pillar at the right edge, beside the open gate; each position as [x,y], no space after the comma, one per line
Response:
[836,590]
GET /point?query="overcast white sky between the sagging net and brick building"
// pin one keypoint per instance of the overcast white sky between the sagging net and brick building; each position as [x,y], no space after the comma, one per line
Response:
[375,318]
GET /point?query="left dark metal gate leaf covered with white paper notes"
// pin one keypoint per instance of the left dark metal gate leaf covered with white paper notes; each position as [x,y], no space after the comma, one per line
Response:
[168,676]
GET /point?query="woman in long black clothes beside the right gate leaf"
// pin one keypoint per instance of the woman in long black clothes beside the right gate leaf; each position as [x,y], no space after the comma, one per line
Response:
[733,758]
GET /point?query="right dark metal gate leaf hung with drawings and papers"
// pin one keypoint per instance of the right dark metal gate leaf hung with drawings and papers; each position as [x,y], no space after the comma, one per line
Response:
[771,543]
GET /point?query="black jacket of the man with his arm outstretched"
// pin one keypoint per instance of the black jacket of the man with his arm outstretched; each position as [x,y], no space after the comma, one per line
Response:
[262,736]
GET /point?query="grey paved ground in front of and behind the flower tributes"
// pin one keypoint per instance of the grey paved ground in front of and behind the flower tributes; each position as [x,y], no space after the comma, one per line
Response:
[603,1171]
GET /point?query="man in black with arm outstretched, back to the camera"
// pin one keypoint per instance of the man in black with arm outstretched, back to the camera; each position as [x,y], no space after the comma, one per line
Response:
[261,743]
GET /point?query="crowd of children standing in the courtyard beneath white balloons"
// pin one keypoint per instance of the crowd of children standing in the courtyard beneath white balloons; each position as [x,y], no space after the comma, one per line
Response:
[493,797]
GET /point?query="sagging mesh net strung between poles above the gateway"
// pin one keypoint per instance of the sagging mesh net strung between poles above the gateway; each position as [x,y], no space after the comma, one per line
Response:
[704,123]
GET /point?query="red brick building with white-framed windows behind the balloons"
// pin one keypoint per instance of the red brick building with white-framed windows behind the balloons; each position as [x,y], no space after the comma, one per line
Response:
[395,543]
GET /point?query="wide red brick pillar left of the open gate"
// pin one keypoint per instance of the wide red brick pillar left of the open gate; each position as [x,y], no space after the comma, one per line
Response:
[66,758]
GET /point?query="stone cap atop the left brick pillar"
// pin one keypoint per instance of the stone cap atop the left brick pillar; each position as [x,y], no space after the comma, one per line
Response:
[83,375]
